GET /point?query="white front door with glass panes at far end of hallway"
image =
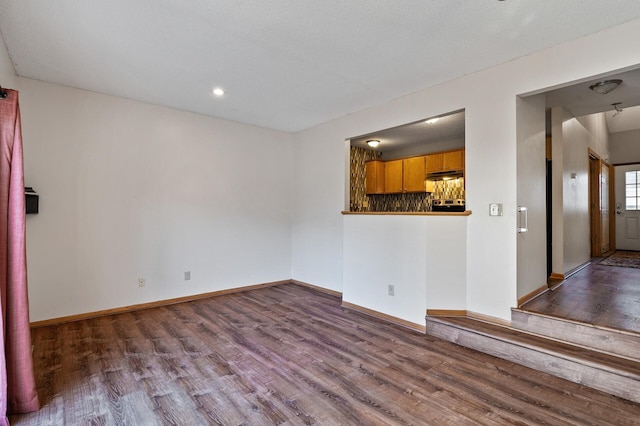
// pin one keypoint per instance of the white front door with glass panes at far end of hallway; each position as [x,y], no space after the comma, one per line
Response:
[627,204]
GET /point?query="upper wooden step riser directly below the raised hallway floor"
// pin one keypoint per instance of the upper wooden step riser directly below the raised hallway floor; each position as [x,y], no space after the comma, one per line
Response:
[613,341]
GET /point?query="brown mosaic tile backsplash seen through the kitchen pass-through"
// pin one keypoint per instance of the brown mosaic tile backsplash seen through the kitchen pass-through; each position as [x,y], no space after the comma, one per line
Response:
[413,202]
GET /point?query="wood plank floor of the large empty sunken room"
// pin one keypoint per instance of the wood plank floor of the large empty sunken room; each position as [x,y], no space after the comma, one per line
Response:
[288,355]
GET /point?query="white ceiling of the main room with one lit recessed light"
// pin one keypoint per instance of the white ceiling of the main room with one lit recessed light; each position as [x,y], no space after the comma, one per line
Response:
[285,64]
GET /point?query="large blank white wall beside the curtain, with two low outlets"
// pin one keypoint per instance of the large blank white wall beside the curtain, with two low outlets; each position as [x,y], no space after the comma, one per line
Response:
[131,190]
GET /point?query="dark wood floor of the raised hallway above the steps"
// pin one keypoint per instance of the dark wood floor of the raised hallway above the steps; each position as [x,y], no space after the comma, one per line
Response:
[606,296]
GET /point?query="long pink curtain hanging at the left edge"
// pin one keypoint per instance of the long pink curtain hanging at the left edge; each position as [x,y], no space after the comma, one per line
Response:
[17,383]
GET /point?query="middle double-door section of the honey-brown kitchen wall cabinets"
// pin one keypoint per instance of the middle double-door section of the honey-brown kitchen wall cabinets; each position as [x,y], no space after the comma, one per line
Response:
[406,175]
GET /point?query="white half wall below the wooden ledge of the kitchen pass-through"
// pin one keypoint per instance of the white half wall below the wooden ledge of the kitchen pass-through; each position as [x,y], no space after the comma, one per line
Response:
[422,257]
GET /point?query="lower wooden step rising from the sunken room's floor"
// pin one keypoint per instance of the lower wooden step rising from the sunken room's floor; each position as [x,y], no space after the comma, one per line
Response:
[605,372]
